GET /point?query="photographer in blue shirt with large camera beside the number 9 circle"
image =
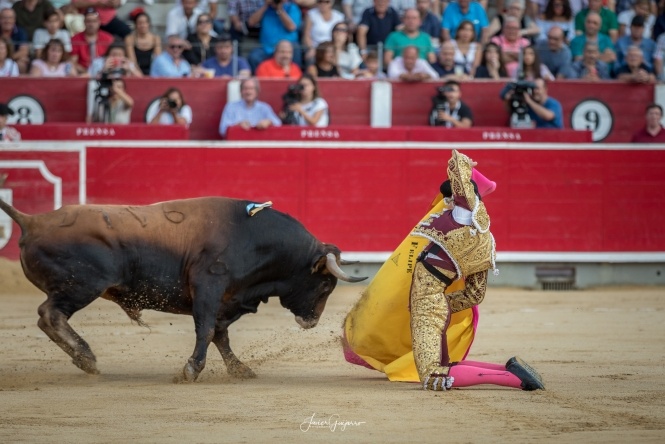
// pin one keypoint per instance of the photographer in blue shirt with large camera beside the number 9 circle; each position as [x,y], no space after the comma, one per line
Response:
[530,106]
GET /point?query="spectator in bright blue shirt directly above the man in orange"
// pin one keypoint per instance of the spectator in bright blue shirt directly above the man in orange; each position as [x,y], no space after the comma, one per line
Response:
[279,21]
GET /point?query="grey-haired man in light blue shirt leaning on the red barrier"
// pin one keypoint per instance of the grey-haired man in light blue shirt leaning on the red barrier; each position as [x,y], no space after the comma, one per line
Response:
[249,112]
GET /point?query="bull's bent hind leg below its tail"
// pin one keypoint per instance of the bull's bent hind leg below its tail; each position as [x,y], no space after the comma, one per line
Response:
[53,318]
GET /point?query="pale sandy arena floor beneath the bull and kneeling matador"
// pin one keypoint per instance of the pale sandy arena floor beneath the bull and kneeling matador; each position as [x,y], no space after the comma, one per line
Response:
[600,352]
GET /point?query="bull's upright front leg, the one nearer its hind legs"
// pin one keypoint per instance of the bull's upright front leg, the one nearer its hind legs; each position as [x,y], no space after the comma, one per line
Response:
[206,295]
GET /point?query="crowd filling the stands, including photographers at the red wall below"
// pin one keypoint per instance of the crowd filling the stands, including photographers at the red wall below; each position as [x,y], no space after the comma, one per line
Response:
[527,43]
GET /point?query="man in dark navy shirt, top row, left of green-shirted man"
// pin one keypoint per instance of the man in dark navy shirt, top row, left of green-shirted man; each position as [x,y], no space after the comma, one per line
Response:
[375,26]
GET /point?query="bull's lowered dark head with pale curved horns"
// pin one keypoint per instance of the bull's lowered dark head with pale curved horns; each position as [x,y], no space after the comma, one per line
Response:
[308,304]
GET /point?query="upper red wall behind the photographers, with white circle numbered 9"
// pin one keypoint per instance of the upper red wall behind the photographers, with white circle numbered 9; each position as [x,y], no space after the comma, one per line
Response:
[618,105]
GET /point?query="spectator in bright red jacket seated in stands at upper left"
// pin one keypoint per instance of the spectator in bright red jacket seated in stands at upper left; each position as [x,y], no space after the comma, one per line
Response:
[90,43]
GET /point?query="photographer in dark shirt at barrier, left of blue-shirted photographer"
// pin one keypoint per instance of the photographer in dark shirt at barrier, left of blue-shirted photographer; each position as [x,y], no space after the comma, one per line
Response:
[448,110]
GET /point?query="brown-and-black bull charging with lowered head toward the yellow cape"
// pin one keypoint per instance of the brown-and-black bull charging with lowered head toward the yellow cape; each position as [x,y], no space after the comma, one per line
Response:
[203,257]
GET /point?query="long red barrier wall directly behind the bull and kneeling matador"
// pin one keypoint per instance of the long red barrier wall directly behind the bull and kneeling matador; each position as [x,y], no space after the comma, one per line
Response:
[560,200]
